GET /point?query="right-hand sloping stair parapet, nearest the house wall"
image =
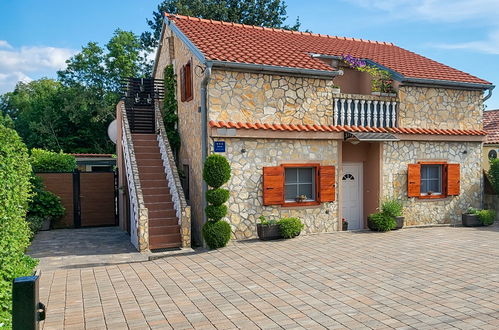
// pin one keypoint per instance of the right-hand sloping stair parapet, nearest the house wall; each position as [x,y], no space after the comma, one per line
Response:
[182,210]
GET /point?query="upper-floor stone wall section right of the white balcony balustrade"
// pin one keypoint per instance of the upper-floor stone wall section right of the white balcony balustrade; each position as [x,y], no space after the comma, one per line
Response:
[422,107]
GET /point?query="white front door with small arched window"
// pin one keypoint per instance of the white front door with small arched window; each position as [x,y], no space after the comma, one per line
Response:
[351,188]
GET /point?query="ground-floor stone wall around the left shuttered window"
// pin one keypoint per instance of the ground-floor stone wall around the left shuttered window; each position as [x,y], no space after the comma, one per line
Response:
[246,190]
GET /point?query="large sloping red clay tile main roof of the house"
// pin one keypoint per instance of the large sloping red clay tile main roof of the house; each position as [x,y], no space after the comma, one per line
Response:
[253,44]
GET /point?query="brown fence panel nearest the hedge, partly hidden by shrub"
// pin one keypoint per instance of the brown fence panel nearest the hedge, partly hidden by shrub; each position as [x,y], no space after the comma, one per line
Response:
[61,184]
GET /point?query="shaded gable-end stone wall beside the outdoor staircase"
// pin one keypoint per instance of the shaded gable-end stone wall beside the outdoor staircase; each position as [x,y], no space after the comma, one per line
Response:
[175,51]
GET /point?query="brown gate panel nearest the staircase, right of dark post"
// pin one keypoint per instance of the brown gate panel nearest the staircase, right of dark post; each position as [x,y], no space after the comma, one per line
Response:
[97,197]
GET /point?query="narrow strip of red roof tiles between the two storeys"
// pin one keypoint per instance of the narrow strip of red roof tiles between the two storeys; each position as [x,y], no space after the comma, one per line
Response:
[344,128]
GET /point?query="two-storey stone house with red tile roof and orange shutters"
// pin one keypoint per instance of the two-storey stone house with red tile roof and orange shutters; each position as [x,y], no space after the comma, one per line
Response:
[267,100]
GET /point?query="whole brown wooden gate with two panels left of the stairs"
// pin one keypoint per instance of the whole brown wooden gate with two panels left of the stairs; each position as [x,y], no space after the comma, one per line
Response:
[89,197]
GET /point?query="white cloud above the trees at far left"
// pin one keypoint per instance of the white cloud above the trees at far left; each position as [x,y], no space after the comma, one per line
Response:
[19,64]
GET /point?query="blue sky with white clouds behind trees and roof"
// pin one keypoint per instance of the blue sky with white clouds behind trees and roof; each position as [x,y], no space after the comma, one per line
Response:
[37,36]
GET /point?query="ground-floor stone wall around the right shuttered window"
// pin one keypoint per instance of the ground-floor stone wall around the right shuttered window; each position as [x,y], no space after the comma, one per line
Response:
[396,157]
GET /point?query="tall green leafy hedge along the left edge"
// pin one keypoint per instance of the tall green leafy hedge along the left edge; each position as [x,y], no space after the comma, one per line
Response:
[15,173]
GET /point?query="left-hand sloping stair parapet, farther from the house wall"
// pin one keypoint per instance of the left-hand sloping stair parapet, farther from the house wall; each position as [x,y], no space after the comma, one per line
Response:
[139,213]
